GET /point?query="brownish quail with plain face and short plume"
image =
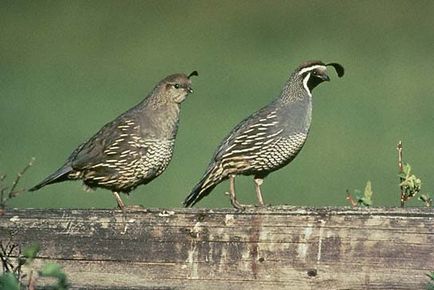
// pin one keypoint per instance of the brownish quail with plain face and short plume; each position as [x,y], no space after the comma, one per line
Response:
[134,148]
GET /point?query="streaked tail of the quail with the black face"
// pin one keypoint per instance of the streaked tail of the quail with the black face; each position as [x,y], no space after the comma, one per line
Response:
[211,178]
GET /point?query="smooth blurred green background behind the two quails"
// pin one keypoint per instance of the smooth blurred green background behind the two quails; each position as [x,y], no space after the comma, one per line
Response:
[68,67]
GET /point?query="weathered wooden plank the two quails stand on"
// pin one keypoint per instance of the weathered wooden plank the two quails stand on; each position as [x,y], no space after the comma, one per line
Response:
[278,247]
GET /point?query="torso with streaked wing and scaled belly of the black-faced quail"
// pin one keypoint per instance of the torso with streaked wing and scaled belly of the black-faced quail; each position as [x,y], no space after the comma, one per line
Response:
[272,131]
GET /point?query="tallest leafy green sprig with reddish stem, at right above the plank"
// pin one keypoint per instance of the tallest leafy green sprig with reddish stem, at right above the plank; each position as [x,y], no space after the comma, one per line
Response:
[409,183]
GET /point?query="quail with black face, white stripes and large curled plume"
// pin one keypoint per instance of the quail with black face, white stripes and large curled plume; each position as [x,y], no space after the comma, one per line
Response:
[268,139]
